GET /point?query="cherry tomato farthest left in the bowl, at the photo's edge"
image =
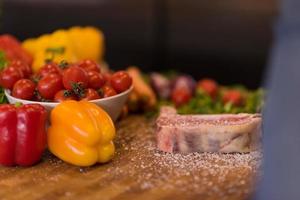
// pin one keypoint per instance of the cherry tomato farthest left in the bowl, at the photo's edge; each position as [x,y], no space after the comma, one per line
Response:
[9,76]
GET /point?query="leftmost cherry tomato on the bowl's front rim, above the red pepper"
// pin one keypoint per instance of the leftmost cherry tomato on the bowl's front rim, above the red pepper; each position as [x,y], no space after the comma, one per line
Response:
[24,89]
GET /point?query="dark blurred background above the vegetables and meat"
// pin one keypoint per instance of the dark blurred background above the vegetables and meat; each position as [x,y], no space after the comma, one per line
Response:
[224,39]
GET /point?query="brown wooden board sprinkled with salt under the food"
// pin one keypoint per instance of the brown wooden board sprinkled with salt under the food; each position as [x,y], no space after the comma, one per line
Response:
[138,171]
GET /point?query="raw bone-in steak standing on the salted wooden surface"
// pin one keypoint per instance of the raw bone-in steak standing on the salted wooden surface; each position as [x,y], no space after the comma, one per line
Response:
[207,133]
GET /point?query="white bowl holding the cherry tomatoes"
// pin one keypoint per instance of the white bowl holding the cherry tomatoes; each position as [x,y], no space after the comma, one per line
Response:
[112,105]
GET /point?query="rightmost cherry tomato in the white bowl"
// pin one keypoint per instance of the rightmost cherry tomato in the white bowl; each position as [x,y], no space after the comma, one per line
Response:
[121,81]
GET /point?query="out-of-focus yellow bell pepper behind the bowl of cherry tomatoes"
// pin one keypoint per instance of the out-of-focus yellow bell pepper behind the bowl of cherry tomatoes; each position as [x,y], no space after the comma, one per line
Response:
[76,44]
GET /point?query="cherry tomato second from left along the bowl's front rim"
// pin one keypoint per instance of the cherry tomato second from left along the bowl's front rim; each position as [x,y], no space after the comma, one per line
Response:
[49,85]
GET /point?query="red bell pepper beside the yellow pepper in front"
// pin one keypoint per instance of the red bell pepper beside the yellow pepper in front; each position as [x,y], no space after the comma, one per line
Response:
[22,134]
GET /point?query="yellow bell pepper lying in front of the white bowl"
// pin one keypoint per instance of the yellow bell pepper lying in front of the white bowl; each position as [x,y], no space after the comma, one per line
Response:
[81,133]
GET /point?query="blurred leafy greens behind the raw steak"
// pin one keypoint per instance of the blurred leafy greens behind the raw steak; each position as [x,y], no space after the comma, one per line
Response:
[202,103]
